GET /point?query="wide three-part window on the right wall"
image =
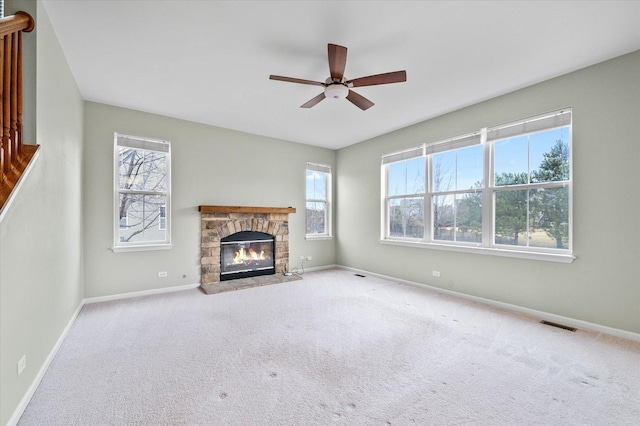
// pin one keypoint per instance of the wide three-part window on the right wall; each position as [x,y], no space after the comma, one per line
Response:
[503,188]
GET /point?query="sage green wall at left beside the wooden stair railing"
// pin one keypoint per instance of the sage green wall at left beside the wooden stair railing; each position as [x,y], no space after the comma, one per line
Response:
[41,235]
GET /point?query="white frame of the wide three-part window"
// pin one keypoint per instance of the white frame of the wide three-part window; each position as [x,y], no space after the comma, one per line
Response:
[486,137]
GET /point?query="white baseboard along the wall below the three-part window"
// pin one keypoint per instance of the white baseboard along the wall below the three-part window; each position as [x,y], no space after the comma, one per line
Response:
[515,308]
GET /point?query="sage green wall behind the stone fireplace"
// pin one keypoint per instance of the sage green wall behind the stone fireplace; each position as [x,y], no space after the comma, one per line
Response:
[210,166]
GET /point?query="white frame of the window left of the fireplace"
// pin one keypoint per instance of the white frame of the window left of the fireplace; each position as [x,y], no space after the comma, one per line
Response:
[149,144]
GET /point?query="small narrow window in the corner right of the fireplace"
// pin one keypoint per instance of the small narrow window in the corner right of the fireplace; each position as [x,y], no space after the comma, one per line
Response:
[318,202]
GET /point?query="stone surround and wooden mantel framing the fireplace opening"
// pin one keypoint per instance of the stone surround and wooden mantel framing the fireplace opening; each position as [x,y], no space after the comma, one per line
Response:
[218,222]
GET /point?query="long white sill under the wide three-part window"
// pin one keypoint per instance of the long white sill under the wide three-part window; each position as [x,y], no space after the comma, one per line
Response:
[491,251]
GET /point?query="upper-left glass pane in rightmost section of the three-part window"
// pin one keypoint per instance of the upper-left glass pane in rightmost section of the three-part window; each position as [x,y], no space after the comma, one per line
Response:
[511,161]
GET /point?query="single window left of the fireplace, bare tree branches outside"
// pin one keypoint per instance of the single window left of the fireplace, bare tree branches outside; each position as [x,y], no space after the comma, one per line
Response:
[142,195]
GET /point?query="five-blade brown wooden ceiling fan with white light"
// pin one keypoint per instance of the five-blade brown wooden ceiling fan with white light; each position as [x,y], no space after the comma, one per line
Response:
[337,87]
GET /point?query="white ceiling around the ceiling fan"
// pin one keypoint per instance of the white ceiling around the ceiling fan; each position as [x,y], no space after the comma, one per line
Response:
[210,61]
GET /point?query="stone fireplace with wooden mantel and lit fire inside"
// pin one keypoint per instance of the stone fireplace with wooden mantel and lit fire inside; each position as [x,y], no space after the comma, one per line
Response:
[246,230]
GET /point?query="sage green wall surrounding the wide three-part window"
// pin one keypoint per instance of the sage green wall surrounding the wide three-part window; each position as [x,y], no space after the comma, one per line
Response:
[602,285]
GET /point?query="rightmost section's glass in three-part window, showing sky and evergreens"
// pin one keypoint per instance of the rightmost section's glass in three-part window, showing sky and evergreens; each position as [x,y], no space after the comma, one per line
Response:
[532,203]
